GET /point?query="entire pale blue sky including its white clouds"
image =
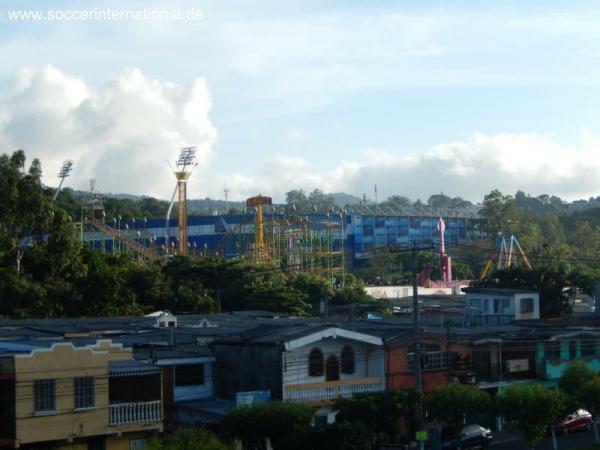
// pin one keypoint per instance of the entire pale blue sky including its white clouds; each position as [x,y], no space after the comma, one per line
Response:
[418,98]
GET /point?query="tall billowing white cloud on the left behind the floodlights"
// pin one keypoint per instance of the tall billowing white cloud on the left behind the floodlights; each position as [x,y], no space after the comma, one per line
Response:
[122,134]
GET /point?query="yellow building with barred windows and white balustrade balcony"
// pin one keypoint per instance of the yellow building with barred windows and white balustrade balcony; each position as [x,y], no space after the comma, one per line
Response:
[66,395]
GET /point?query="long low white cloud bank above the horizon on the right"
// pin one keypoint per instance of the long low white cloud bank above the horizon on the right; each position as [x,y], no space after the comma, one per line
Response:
[469,168]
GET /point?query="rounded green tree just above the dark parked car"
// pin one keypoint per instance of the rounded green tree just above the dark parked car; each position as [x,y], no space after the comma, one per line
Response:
[452,402]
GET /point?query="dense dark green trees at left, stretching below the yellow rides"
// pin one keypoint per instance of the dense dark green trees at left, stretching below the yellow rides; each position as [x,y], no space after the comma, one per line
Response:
[45,271]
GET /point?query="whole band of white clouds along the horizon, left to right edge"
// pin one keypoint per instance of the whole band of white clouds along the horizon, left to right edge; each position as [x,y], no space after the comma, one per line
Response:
[123,132]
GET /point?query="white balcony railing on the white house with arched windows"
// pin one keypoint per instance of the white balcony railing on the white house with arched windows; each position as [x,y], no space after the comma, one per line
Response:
[330,390]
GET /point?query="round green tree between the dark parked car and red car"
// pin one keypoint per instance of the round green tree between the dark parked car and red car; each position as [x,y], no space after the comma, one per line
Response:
[531,409]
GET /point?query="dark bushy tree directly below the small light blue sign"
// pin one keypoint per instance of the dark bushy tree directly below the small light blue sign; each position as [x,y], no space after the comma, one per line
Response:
[284,424]
